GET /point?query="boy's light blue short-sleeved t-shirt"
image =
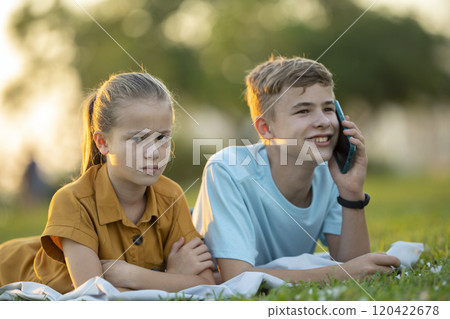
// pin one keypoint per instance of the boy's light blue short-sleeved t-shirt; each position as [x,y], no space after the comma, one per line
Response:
[242,214]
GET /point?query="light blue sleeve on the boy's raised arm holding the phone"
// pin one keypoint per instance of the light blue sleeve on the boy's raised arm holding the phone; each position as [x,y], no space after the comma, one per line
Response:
[333,219]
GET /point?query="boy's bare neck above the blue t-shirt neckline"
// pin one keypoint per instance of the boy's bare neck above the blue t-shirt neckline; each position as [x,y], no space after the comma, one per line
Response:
[293,181]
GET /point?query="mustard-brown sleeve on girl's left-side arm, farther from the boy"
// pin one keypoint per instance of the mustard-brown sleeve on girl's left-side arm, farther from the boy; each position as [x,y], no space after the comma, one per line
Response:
[68,218]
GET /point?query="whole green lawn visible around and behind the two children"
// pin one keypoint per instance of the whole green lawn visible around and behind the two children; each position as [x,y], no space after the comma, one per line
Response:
[408,208]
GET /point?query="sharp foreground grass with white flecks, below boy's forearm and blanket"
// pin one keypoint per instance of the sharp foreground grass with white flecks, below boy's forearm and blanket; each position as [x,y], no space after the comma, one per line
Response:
[418,283]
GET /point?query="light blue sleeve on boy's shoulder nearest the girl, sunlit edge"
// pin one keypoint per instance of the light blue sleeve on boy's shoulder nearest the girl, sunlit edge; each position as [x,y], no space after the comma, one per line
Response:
[221,216]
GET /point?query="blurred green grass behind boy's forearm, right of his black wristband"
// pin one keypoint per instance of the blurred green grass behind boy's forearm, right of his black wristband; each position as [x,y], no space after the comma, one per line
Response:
[410,209]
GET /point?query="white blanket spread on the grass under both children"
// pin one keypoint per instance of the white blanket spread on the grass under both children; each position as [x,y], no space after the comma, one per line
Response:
[246,284]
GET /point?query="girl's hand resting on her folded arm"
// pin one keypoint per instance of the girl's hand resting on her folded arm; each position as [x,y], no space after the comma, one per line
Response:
[190,259]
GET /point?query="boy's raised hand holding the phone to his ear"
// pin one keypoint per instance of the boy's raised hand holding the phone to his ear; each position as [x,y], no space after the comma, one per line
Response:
[351,184]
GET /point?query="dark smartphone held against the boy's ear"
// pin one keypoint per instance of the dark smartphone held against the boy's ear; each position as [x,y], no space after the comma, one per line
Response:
[344,150]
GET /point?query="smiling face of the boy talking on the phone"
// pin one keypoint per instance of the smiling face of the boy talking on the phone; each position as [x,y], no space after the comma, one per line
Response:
[306,115]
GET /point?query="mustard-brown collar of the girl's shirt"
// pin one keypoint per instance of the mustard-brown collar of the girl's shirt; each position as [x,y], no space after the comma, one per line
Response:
[109,209]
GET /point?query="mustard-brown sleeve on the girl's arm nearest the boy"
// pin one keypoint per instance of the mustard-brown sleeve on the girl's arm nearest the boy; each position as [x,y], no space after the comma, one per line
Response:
[181,226]
